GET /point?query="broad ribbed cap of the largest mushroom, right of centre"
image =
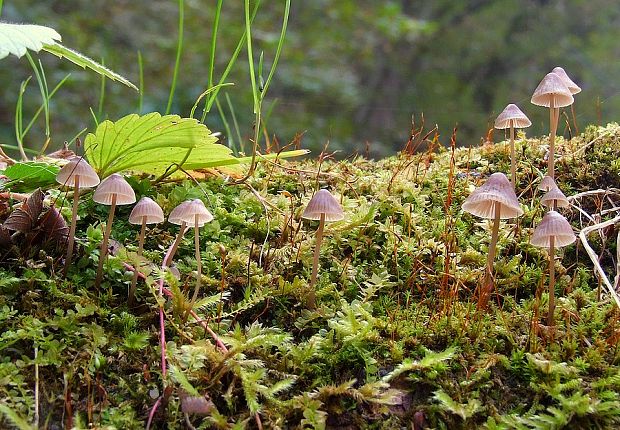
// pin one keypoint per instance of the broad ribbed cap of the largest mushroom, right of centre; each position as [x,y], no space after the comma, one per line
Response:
[496,193]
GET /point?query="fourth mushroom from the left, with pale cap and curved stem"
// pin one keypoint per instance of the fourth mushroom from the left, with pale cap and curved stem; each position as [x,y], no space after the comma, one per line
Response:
[195,214]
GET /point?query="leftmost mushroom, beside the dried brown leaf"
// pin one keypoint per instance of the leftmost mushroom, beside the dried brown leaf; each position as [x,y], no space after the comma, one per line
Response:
[77,173]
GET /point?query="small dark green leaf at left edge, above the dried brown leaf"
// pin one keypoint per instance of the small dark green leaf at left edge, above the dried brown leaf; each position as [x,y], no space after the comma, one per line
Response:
[30,175]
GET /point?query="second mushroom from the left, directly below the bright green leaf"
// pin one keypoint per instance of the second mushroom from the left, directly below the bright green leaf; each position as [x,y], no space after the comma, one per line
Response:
[113,190]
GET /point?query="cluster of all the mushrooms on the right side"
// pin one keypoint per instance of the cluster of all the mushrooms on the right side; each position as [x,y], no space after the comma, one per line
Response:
[496,198]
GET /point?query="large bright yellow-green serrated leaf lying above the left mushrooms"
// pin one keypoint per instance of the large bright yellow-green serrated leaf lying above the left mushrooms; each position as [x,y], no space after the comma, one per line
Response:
[153,143]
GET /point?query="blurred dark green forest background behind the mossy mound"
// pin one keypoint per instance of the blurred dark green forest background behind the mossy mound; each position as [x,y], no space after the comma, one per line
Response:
[352,72]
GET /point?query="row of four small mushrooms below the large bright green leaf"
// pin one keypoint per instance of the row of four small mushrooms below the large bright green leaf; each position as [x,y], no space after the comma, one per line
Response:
[114,190]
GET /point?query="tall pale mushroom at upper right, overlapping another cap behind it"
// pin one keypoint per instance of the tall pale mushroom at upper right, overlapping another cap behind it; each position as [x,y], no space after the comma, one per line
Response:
[552,92]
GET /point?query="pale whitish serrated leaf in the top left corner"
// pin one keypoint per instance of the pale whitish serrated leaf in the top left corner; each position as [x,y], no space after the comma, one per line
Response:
[16,39]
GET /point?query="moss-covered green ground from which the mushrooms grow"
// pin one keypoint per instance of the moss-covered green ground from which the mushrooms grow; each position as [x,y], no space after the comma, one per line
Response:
[396,339]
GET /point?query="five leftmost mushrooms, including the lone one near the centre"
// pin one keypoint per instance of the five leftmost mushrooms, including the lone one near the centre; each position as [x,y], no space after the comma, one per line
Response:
[114,190]
